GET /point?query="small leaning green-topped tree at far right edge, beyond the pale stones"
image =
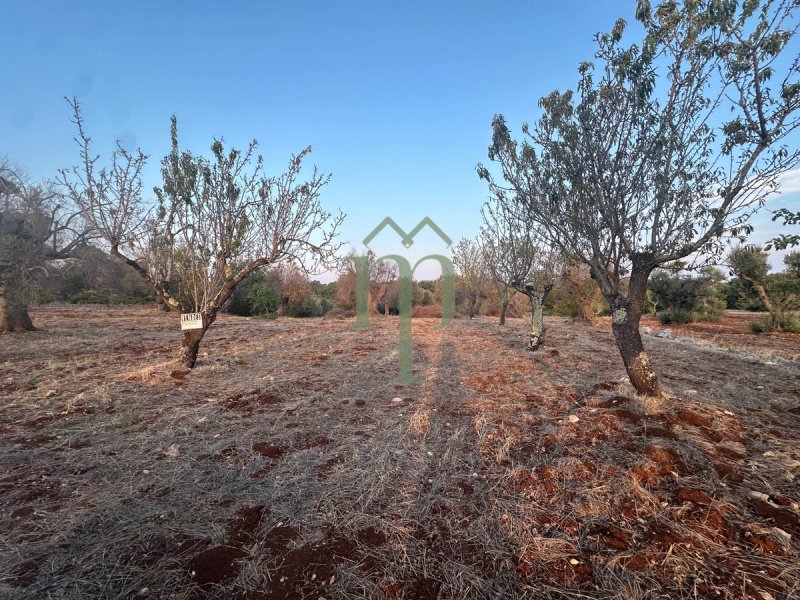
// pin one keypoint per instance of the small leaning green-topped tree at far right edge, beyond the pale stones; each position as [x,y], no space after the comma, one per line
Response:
[778,295]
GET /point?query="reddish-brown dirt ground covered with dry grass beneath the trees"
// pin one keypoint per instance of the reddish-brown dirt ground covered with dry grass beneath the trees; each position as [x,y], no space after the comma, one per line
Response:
[289,465]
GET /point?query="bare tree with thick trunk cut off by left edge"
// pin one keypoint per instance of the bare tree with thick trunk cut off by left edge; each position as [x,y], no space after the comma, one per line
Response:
[37,227]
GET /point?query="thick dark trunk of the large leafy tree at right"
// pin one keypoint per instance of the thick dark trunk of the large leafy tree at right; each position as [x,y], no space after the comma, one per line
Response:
[625,317]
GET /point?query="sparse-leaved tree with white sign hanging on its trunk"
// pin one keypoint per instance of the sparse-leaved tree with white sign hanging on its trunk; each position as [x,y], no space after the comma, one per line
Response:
[218,219]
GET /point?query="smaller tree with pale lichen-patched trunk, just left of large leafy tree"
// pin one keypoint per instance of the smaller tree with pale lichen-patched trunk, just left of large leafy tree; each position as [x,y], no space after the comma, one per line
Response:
[517,256]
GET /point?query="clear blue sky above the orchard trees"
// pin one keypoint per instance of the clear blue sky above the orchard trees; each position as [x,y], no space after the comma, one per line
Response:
[396,99]
